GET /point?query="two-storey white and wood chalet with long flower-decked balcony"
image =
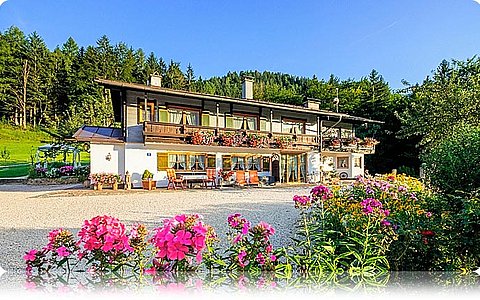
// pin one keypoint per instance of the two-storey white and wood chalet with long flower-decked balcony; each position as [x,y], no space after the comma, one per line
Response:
[190,132]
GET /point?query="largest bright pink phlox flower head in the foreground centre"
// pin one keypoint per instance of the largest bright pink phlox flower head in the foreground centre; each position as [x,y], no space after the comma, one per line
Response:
[180,237]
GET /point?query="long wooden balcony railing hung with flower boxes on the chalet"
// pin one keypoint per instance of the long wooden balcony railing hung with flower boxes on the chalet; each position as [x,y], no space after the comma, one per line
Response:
[209,136]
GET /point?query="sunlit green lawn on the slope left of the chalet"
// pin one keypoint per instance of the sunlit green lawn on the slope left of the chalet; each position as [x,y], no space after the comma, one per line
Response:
[22,146]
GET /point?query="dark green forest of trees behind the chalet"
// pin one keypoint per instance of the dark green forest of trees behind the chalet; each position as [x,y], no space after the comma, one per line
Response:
[55,90]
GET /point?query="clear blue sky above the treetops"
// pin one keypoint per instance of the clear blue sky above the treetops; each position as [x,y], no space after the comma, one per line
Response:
[400,39]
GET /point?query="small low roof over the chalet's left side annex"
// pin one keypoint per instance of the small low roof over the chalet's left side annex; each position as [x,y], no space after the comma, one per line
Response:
[98,134]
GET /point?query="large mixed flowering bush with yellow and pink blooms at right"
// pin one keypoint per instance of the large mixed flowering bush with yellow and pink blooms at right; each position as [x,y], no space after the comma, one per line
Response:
[391,220]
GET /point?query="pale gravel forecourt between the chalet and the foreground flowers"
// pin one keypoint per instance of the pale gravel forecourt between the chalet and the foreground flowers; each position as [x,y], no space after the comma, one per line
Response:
[28,213]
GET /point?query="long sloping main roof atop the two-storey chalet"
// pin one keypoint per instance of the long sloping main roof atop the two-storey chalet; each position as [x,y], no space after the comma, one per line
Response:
[253,102]
